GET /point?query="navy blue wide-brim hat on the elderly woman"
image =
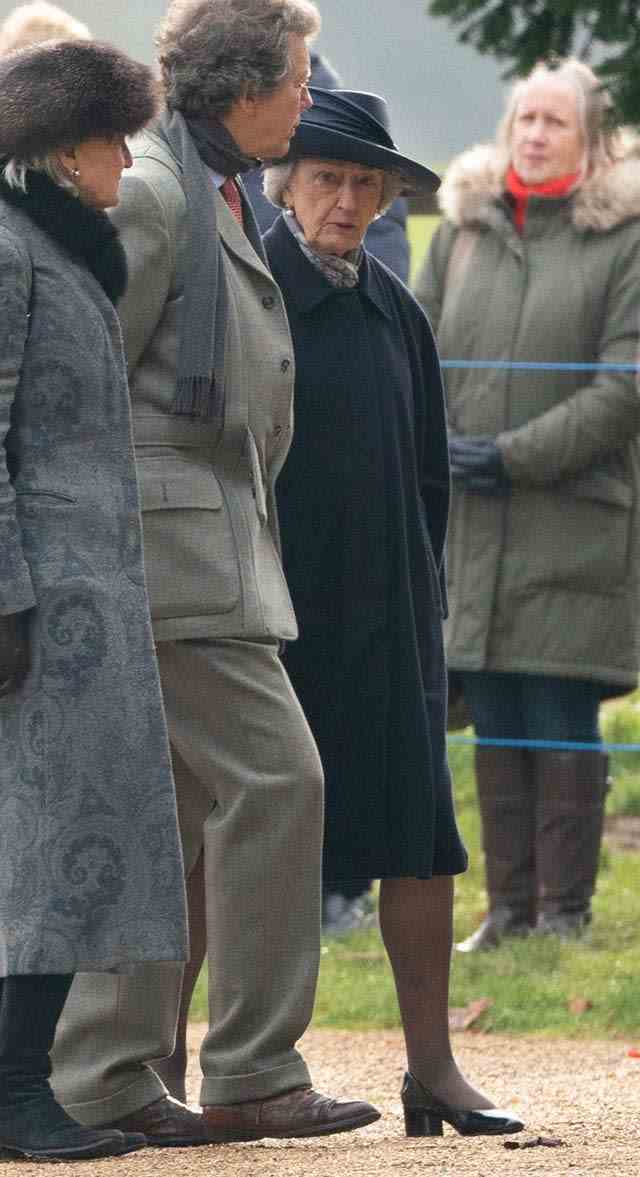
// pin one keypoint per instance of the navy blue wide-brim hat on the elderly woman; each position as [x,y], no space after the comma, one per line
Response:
[354,128]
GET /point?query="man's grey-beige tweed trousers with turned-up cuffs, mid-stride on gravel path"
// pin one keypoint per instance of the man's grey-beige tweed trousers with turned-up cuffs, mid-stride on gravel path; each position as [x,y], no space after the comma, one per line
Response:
[250,790]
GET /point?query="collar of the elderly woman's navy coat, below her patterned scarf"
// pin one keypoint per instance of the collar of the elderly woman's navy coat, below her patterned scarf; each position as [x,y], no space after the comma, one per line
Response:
[310,285]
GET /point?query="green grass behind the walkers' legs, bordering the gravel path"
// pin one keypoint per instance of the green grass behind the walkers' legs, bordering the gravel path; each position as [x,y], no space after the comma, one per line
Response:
[531,982]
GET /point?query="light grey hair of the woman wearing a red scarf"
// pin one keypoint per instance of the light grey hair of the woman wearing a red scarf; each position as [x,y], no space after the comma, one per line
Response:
[603,141]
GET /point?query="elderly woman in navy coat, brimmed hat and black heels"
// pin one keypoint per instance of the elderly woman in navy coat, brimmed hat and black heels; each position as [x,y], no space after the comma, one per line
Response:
[364,502]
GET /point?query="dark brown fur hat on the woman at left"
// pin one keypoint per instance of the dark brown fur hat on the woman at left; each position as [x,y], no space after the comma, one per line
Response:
[59,95]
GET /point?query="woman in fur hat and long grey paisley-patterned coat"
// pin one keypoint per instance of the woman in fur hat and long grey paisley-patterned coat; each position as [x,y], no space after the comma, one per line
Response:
[86,885]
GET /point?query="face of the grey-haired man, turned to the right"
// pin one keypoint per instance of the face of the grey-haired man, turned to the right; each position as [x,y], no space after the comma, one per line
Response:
[274,119]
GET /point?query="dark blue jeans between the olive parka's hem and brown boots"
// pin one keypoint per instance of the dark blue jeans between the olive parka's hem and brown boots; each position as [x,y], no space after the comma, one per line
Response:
[532,707]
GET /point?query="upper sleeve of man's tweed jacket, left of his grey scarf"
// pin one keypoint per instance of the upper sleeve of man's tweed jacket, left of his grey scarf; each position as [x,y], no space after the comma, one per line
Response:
[144,222]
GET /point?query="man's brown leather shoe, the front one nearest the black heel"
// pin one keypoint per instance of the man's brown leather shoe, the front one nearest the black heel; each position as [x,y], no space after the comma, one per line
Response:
[302,1112]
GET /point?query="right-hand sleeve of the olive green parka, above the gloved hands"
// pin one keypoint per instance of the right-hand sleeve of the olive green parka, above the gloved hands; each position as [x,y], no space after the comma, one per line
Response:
[604,415]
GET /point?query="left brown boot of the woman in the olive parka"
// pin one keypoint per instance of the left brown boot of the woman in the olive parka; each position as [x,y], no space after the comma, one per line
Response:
[506,799]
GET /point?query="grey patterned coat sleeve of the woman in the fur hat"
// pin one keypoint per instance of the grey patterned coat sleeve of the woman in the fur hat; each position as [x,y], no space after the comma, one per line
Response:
[16,277]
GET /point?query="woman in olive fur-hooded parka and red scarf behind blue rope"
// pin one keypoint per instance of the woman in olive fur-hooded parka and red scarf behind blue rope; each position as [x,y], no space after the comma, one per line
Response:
[538,263]
